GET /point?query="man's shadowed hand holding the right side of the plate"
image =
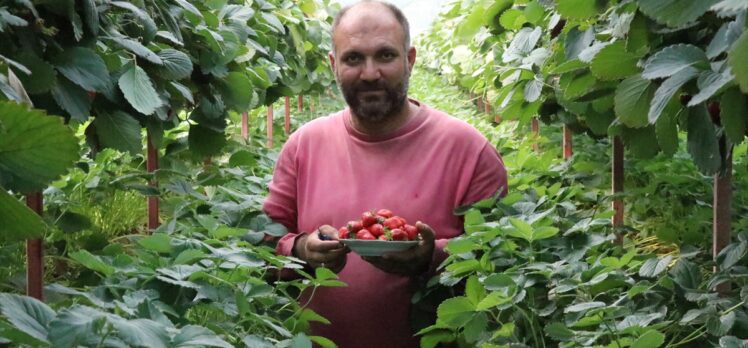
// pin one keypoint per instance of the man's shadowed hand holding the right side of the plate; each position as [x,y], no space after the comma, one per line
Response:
[411,262]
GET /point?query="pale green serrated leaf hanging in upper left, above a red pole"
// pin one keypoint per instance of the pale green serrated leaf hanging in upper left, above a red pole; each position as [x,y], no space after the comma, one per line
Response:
[138,90]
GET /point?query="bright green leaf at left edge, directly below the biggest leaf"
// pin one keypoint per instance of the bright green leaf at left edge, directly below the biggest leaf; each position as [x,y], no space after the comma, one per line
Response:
[19,222]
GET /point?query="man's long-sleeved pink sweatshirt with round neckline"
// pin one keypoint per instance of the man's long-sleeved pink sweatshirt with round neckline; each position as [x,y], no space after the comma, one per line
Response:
[328,173]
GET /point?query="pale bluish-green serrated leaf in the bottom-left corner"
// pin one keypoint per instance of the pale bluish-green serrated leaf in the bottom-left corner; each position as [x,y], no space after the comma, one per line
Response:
[27,314]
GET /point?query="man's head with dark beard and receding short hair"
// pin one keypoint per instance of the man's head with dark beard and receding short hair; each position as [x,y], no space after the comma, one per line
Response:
[371,65]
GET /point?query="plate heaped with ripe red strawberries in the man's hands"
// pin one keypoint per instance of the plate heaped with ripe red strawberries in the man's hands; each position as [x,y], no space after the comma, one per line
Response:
[378,232]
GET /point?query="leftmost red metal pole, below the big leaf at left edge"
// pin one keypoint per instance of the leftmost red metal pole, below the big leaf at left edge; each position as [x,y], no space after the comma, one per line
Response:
[35,253]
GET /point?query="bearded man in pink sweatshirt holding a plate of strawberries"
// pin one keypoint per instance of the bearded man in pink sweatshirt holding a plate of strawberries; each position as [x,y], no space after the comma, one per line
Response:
[383,151]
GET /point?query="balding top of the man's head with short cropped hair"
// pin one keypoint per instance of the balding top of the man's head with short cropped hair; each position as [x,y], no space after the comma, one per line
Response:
[367,10]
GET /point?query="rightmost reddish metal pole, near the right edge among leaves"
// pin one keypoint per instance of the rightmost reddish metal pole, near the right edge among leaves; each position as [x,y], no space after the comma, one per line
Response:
[721,227]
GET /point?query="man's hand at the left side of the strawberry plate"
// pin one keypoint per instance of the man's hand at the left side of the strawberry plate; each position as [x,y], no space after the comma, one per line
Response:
[322,252]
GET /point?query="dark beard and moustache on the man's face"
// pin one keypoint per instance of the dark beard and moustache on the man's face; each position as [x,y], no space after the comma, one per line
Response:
[379,107]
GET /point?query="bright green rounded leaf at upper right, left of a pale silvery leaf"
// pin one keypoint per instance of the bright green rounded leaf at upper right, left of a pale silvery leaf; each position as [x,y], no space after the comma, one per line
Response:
[613,62]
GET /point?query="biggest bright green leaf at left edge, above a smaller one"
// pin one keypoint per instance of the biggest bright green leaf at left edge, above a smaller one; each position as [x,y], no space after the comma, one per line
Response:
[34,148]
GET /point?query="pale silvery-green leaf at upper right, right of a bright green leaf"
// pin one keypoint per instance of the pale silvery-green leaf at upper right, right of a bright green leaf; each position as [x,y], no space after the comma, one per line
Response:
[673,59]
